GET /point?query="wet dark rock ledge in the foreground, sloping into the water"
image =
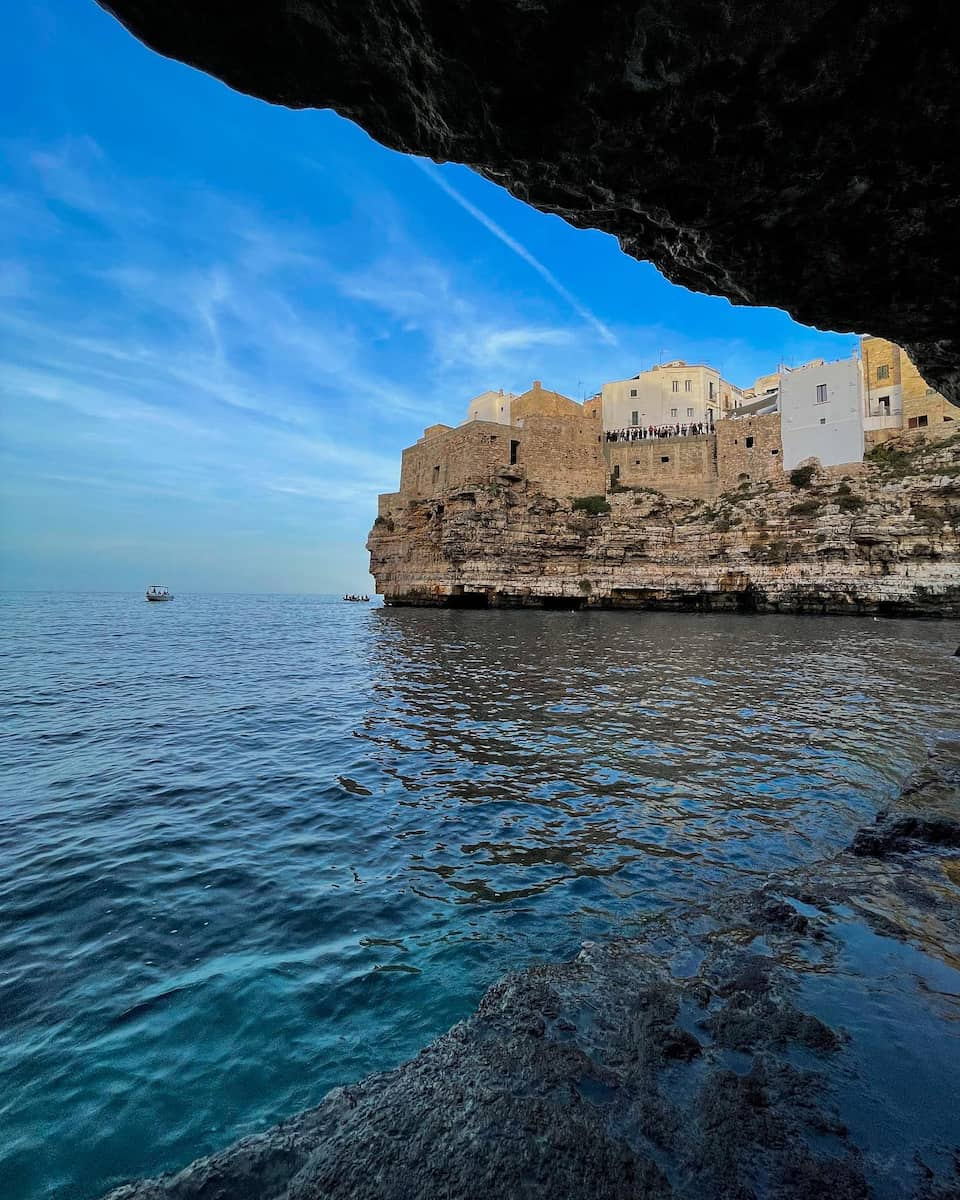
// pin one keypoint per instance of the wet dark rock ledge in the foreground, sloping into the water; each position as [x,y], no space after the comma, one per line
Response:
[800,1041]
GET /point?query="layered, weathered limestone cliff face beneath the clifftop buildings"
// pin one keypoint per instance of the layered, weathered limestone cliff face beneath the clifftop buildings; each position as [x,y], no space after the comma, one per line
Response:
[885,541]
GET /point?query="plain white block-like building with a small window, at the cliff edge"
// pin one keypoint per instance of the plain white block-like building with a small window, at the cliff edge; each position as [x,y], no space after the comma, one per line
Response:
[821,413]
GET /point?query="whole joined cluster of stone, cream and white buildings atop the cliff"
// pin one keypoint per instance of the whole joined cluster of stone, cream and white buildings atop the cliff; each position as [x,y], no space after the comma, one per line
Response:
[824,411]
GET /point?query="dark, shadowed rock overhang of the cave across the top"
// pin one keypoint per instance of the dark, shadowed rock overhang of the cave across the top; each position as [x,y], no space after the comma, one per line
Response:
[800,154]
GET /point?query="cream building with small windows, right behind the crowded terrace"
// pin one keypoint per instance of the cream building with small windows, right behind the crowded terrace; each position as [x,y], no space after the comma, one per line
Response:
[669,394]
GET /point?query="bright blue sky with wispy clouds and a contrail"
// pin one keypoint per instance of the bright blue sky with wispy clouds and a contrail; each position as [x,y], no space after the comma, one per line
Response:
[221,322]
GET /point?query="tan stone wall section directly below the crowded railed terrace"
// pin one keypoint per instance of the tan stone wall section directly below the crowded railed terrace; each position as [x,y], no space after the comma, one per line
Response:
[673,466]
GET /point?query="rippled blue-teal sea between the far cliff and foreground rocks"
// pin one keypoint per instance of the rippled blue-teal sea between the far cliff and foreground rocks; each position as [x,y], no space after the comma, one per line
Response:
[256,847]
